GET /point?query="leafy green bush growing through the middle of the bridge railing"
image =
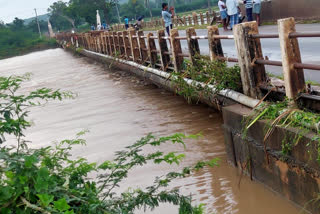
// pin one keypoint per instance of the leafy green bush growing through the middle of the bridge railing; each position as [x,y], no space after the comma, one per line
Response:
[215,73]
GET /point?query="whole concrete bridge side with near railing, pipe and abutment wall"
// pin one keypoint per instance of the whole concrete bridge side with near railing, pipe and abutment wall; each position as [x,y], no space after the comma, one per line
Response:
[296,177]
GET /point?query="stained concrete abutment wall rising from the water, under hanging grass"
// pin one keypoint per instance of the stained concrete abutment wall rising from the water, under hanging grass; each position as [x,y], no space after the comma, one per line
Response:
[295,176]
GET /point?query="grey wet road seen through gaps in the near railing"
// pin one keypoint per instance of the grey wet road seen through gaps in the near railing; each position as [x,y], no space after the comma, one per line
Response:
[271,47]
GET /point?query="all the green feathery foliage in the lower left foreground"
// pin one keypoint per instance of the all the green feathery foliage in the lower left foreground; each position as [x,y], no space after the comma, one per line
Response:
[49,180]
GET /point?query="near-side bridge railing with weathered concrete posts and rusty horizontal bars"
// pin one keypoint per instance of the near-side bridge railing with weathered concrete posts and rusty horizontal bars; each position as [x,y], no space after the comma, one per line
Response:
[165,53]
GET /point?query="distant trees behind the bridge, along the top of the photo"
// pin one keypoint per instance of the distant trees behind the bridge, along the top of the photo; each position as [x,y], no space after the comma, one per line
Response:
[80,14]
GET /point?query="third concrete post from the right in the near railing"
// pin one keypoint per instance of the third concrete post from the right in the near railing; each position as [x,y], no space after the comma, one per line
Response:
[215,47]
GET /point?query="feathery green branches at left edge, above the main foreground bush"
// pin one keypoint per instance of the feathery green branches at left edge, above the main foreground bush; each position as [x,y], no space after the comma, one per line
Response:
[14,106]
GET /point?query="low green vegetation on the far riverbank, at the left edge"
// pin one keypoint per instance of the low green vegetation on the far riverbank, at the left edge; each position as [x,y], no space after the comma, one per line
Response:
[22,41]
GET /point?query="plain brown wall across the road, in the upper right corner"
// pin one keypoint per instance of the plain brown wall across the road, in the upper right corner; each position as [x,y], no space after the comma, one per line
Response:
[299,9]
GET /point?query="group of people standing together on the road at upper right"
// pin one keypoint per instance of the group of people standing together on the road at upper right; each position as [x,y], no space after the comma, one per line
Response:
[231,13]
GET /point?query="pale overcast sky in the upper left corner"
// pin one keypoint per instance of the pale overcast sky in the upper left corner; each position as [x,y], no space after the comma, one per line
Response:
[9,9]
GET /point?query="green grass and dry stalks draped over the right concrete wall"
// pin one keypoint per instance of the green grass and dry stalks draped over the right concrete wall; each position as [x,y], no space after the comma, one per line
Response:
[282,115]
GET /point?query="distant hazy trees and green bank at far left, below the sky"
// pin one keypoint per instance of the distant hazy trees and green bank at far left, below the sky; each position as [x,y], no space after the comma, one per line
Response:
[17,39]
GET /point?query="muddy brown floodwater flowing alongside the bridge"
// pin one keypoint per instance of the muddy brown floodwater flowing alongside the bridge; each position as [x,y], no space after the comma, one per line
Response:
[118,109]
